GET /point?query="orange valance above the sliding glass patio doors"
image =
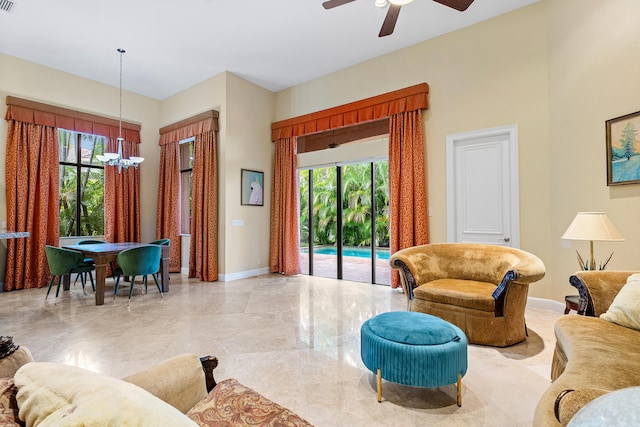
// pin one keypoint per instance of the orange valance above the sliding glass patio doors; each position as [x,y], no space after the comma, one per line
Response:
[377,107]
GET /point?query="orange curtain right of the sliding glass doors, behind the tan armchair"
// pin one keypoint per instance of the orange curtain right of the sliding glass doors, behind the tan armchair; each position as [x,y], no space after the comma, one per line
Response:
[407,184]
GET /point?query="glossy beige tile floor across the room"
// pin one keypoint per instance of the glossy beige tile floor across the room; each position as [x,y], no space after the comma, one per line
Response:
[294,339]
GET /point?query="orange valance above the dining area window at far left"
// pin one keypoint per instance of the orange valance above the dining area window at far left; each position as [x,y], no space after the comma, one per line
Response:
[26,111]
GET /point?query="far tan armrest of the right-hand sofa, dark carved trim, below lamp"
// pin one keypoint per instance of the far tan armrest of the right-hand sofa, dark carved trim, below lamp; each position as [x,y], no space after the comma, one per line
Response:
[597,289]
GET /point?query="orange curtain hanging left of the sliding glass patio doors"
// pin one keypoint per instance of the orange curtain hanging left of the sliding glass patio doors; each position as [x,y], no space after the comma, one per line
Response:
[284,251]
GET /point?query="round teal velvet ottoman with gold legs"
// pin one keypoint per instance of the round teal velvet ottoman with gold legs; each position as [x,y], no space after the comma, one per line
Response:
[414,349]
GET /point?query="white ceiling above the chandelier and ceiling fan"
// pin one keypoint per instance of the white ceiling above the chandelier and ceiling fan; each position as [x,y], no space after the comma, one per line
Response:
[173,45]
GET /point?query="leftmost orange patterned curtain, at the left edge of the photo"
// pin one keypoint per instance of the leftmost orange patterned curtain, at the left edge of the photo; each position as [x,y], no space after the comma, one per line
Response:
[32,202]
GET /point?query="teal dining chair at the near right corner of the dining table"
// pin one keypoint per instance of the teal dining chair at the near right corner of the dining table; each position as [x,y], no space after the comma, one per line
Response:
[139,261]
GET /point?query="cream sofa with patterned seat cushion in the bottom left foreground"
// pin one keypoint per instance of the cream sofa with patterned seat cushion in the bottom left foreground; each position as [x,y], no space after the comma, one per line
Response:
[172,393]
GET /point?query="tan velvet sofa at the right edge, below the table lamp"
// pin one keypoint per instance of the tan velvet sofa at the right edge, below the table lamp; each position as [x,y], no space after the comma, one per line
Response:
[592,355]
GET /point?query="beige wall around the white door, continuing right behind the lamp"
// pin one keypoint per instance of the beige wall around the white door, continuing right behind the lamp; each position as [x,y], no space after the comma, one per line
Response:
[558,69]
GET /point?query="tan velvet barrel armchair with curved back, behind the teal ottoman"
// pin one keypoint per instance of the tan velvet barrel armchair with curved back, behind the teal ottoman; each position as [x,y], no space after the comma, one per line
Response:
[482,289]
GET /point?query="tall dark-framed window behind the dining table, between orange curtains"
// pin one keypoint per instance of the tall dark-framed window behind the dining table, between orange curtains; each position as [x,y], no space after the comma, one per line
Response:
[81,184]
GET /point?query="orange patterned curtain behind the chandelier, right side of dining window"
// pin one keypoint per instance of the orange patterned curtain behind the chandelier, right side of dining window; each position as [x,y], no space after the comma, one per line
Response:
[122,197]
